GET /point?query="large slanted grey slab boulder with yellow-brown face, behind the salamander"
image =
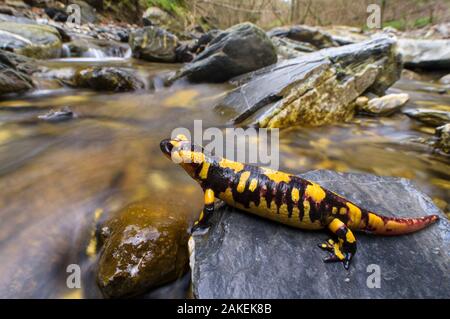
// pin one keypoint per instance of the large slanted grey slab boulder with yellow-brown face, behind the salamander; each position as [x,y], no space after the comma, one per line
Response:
[316,88]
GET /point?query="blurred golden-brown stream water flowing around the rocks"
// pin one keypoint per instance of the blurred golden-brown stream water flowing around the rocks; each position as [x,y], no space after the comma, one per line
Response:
[56,177]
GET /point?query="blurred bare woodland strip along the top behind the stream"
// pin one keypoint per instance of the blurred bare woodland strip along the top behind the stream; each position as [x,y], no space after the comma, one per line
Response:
[269,13]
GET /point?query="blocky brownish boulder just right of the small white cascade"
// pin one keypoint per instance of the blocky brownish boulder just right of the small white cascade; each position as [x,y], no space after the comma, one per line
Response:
[154,44]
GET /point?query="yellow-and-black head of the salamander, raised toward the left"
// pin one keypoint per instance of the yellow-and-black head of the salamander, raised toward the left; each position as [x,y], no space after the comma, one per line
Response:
[181,151]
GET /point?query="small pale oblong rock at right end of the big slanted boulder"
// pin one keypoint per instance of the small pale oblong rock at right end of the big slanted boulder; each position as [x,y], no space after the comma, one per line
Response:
[385,105]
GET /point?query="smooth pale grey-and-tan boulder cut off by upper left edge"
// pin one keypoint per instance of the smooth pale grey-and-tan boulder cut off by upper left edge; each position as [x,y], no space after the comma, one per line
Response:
[32,40]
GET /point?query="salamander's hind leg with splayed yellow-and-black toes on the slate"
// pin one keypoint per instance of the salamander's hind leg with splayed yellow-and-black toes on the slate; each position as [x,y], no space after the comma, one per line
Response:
[344,248]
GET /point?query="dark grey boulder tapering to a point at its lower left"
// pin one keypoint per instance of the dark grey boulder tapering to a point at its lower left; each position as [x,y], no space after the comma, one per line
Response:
[237,50]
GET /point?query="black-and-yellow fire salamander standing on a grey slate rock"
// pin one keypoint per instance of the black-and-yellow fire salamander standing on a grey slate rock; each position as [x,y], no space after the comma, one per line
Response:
[284,198]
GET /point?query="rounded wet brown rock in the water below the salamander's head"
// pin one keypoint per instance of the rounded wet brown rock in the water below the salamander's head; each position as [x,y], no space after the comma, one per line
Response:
[145,246]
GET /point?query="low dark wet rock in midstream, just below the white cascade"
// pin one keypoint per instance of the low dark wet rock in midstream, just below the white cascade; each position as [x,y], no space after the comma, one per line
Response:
[107,79]
